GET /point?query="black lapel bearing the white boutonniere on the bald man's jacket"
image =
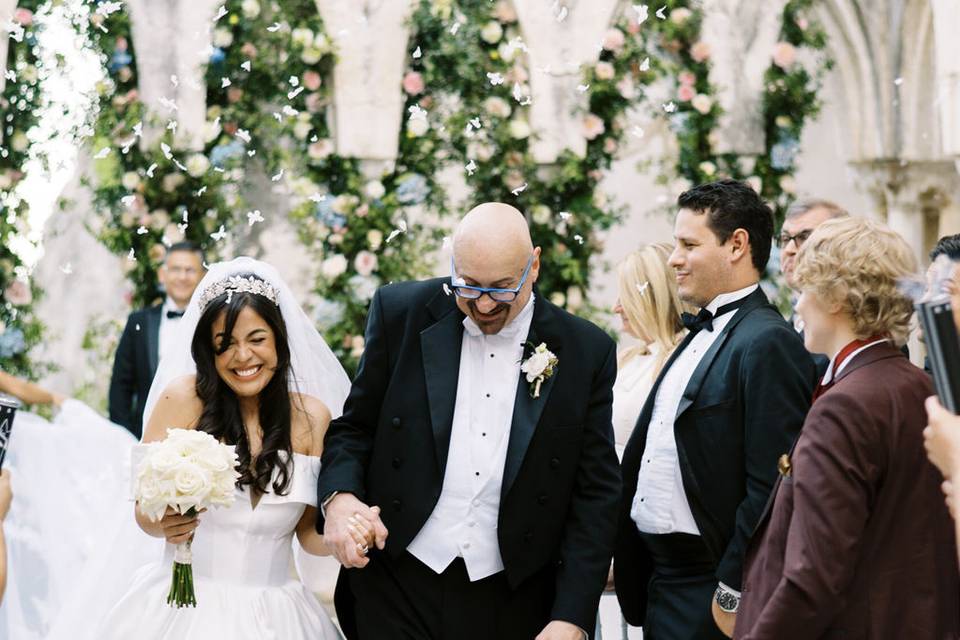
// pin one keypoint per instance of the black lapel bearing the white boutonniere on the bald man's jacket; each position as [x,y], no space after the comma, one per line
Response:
[526,409]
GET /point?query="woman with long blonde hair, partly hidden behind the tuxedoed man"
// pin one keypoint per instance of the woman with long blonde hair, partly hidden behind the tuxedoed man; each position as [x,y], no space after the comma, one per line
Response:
[650,310]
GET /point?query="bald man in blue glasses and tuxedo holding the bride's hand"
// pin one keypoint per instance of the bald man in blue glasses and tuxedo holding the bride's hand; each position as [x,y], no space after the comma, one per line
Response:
[494,477]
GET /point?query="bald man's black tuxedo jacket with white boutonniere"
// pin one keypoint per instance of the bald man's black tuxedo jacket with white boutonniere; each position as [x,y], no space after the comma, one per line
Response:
[561,484]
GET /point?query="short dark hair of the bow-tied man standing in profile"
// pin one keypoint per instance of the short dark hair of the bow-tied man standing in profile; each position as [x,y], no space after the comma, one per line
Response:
[732,205]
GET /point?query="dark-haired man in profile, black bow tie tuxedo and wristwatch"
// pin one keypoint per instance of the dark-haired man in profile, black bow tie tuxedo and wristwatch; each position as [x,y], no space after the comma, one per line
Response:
[702,460]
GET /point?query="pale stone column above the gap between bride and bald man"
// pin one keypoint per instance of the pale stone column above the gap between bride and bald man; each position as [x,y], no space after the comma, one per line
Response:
[371,37]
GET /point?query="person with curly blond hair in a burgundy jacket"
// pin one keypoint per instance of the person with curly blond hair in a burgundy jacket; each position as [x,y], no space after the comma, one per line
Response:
[856,541]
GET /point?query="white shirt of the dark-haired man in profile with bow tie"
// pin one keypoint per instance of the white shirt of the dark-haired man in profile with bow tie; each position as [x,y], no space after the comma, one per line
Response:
[660,503]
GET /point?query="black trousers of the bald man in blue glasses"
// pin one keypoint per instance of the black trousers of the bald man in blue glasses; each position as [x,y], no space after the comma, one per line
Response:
[404,599]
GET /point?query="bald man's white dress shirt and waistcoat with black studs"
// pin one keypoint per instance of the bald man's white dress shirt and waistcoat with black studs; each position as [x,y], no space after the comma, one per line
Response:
[464,521]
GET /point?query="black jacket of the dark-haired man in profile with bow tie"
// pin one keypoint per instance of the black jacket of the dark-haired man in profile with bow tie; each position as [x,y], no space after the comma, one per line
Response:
[742,408]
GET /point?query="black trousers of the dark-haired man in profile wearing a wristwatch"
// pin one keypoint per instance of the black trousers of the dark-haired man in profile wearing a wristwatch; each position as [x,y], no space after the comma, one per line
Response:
[680,594]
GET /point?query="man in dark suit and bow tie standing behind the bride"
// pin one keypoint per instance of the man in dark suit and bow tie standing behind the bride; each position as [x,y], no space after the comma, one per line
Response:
[148,332]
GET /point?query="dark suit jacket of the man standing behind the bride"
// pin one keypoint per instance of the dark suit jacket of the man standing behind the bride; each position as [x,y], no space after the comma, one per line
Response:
[134,366]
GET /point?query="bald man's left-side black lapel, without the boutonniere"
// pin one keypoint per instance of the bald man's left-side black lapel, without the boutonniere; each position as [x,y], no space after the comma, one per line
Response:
[440,346]
